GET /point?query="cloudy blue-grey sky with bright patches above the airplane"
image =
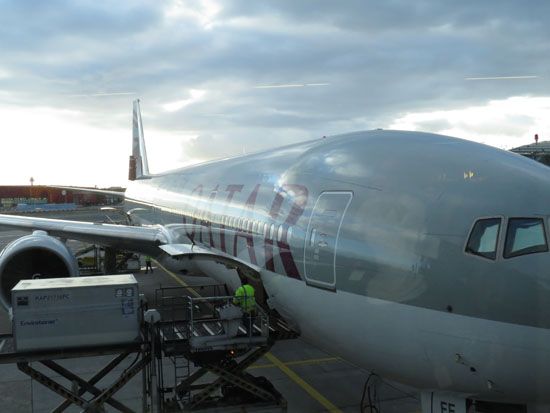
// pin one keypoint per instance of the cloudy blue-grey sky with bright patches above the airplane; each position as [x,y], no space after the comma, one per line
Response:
[218,78]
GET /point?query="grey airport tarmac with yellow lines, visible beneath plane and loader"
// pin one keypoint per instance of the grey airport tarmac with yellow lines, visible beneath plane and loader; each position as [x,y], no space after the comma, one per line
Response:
[310,379]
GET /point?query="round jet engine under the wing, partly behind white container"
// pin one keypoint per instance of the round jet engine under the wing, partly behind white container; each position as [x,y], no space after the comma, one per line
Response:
[34,256]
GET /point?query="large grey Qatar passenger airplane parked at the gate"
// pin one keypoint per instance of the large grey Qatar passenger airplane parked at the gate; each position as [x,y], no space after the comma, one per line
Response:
[421,257]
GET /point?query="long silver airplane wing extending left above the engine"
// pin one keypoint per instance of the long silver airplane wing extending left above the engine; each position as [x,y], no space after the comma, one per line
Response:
[133,238]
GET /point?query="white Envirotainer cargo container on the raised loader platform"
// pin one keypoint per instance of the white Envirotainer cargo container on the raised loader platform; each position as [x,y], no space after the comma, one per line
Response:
[58,313]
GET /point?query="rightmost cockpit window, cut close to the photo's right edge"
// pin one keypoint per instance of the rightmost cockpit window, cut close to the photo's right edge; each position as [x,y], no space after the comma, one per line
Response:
[525,236]
